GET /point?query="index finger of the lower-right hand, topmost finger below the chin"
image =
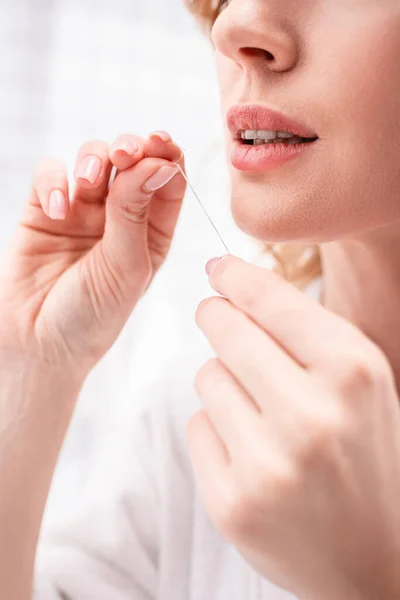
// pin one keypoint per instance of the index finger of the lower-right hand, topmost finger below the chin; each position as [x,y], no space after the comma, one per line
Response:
[310,333]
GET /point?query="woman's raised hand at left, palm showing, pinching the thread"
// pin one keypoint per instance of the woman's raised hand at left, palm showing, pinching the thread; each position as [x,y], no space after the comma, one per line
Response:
[68,285]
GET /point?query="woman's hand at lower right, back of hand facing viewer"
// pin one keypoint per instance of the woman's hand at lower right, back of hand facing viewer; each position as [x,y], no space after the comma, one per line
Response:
[297,450]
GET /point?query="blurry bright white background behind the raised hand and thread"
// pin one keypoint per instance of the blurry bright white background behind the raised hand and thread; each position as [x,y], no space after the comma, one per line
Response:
[73,70]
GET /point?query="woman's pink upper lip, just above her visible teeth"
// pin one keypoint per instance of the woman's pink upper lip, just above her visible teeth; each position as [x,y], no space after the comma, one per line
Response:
[257,117]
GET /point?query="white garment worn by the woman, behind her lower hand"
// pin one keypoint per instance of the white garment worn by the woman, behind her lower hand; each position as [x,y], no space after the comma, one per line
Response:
[141,533]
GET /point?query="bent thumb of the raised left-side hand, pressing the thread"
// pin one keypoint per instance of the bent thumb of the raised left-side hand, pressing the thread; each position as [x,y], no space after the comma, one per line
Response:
[125,240]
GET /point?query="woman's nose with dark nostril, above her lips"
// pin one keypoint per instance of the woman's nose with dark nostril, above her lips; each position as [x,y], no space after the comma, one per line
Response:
[257,31]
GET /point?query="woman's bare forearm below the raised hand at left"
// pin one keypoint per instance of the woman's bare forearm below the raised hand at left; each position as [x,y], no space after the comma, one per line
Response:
[36,404]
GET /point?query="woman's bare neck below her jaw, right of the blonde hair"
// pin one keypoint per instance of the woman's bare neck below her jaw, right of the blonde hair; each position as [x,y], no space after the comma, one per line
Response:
[362,284]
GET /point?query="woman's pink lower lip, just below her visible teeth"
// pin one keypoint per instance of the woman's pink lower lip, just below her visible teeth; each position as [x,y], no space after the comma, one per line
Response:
[264,157]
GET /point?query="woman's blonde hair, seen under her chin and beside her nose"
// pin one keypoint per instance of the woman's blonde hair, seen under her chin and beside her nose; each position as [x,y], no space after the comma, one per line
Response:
[298,263]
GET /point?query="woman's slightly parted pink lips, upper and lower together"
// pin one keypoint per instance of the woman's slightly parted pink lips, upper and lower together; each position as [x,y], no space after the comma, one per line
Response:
[246,157]
